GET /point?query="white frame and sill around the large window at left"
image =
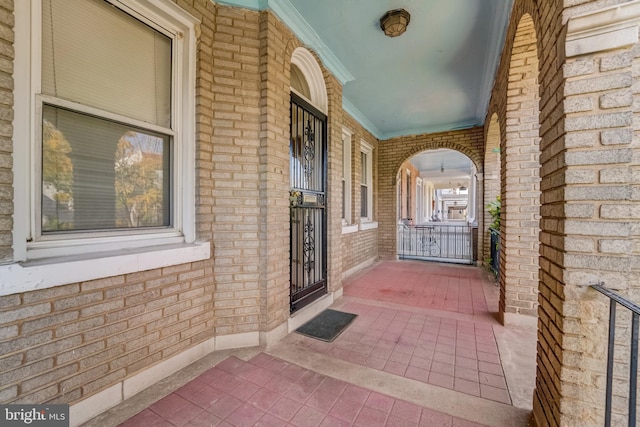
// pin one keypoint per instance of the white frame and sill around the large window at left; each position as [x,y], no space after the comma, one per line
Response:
[169,19]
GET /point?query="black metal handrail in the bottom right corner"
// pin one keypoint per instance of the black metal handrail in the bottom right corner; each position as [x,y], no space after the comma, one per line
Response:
[616,300]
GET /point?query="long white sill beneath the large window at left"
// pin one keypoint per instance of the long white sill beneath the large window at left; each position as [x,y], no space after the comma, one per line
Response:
[50,272]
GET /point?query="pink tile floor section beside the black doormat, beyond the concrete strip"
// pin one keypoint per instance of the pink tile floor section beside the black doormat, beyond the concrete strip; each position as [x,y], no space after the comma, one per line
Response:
[454,354]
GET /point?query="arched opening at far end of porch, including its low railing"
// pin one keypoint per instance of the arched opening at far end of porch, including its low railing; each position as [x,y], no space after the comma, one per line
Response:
[436,207]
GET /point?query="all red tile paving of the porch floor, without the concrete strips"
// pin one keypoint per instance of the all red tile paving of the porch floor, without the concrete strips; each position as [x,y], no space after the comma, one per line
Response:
[424,322]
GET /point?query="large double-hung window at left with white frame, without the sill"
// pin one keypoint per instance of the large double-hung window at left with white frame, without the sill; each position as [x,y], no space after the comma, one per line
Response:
[109,116]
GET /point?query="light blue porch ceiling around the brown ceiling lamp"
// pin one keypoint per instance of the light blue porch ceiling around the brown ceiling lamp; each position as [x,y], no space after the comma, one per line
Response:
[437,76]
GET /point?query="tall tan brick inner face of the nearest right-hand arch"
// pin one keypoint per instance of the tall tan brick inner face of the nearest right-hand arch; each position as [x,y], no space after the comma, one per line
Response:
[520,182]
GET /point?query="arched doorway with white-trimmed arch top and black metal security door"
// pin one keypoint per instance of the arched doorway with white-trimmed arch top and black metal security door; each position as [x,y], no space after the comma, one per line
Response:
[308,181]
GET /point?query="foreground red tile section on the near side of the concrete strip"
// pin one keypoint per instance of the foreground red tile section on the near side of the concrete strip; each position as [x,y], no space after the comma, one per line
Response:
[266,391]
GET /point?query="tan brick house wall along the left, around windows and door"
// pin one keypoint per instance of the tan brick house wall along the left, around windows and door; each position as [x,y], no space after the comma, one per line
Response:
[69,342]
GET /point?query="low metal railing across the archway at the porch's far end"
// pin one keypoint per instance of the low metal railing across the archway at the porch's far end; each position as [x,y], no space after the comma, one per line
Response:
[445,242]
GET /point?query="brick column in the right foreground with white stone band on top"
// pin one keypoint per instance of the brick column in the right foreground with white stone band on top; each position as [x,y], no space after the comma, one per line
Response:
[591,211]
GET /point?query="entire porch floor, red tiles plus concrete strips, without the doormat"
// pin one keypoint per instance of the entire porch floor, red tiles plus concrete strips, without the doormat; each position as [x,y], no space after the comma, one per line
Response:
[426,349]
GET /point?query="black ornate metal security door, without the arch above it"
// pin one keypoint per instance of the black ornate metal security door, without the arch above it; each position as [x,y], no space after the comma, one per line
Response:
[308,163]
